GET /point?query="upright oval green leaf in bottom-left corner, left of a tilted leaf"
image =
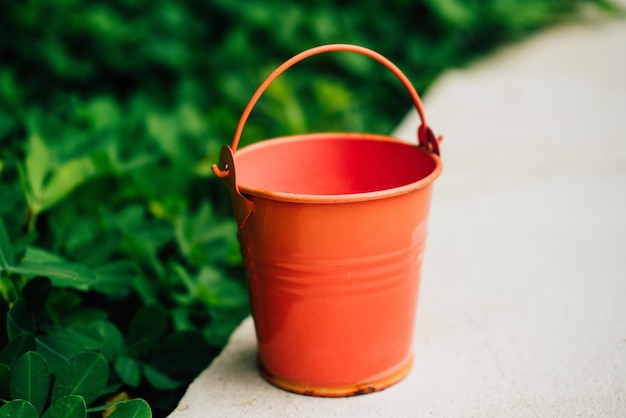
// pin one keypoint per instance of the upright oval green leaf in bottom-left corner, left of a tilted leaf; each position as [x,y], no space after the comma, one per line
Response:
[30,380]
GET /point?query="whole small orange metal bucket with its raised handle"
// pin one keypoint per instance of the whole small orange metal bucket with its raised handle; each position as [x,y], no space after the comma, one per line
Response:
[332,228]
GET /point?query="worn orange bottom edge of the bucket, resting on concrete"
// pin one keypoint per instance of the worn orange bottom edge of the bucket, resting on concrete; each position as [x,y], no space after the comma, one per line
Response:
[339,391]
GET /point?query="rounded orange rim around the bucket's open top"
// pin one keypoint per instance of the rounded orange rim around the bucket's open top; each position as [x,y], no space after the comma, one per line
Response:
[248,190]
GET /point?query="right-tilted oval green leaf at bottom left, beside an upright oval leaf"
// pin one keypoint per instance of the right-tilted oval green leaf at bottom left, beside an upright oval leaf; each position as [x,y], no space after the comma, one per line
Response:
[85,375]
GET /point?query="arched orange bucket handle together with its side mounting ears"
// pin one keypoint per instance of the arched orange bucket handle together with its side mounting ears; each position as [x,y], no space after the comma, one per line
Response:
[243,210]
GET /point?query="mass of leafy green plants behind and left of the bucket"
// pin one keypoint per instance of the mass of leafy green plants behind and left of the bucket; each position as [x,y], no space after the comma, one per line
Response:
[114,237]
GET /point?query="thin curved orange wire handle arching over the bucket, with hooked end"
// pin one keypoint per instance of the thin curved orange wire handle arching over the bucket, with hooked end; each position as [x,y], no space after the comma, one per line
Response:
[425,136]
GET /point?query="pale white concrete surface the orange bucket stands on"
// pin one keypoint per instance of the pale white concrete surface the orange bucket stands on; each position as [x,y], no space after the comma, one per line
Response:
[523,299]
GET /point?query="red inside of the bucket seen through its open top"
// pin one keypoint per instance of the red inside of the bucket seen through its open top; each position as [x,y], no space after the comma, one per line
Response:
[331,165]
